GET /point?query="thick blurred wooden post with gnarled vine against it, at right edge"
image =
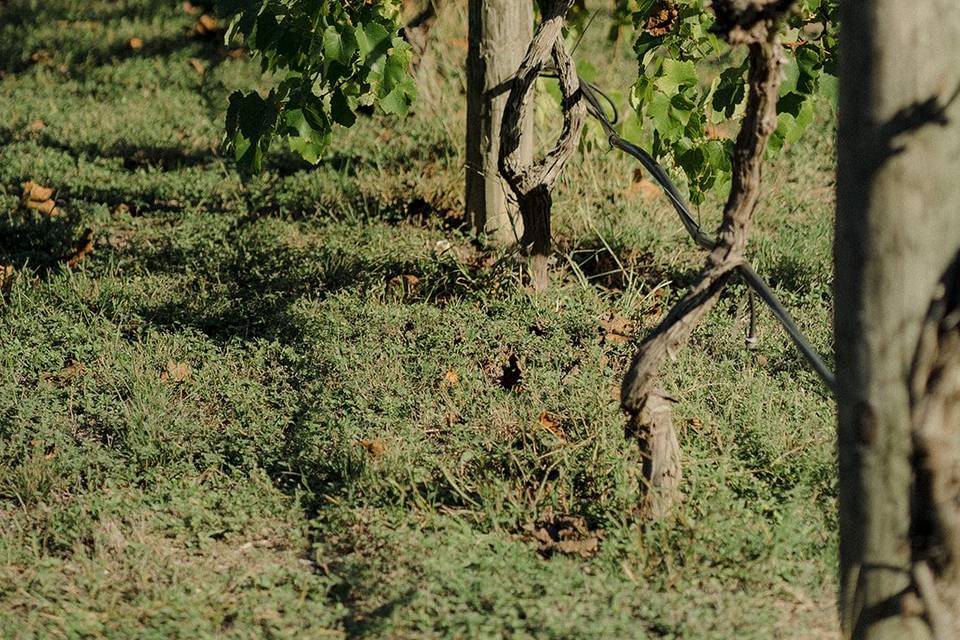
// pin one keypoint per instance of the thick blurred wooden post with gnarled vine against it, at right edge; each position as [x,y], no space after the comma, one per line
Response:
[897,235]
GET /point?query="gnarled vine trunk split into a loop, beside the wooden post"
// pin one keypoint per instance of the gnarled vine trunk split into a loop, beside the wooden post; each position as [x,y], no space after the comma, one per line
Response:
[531,181]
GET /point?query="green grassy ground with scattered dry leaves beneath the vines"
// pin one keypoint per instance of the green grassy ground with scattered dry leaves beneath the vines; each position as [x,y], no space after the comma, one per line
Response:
[311,406]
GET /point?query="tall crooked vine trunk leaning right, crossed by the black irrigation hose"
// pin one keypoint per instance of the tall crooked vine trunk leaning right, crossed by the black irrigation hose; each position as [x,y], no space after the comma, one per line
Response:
[640,386]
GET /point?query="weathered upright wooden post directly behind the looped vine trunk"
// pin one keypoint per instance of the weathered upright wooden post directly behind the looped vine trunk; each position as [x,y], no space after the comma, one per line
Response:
[500,31]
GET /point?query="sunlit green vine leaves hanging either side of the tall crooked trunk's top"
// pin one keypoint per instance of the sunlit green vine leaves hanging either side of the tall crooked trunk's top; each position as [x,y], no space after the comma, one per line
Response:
[691,89]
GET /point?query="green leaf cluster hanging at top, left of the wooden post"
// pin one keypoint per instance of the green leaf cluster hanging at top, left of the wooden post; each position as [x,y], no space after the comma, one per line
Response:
[331,57]
